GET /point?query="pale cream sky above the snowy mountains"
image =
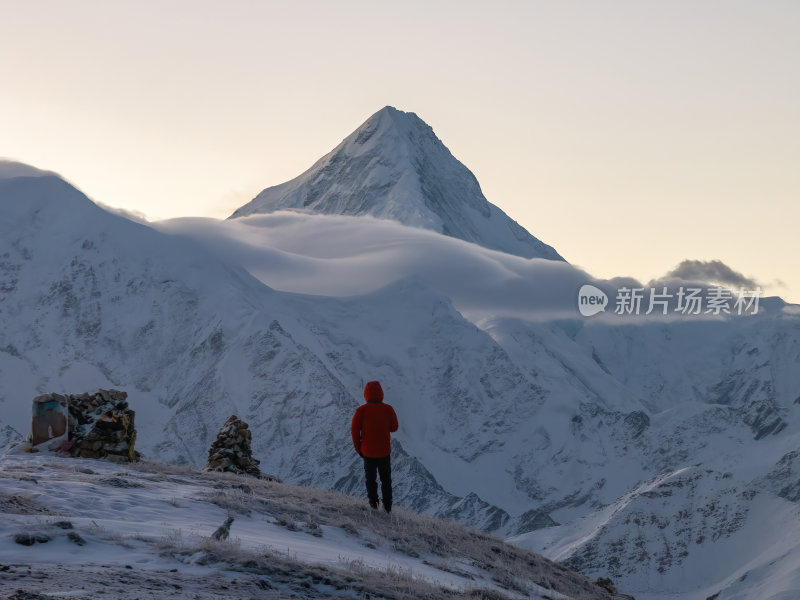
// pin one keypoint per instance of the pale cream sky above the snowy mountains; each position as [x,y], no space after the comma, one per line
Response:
[628,135]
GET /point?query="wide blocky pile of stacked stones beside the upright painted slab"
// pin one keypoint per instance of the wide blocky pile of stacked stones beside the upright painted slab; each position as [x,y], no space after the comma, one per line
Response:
[101,425]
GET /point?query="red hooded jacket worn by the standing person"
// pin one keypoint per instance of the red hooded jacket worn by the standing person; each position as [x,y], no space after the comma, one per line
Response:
[373,424]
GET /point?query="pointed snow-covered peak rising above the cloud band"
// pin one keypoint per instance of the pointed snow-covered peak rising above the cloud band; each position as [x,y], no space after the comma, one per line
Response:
[394,167]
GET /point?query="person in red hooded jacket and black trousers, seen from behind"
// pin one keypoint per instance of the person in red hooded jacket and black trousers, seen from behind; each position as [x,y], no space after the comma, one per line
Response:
[371,429]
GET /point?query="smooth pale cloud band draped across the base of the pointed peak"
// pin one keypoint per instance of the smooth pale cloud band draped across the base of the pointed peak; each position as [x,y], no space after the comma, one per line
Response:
[352,256]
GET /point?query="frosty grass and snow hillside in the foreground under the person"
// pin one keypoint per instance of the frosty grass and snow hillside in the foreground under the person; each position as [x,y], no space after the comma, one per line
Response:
[68,526]
